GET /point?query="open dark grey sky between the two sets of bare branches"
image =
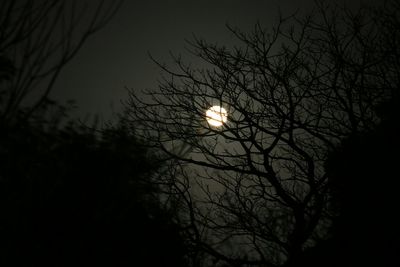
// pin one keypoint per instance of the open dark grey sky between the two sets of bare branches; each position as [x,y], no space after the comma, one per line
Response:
[116,57]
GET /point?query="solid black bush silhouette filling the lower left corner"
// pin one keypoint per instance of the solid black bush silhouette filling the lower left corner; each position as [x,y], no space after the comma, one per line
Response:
[74,197]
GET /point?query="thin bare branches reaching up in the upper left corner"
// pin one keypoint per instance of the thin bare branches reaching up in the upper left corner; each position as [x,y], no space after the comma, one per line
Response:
[37,40]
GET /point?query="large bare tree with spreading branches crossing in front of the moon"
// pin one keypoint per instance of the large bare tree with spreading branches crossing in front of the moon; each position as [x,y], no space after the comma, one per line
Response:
[253,191]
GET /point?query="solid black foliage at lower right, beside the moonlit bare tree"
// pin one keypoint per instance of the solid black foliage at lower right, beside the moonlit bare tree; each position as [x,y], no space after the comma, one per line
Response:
[363,175]
